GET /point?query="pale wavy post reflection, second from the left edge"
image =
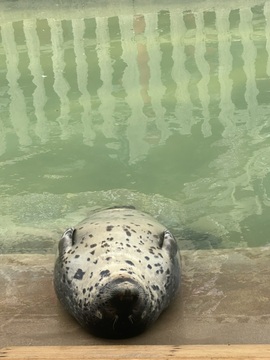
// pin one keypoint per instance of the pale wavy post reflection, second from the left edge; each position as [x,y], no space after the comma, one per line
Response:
[39,95]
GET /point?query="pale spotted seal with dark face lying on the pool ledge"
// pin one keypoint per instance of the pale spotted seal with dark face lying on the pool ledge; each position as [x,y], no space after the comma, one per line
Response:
[117,271]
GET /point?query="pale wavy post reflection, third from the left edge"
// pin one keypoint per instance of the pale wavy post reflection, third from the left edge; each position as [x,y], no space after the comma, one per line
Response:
[61,87]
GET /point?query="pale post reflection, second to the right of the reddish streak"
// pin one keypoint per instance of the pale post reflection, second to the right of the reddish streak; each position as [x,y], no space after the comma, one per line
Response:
[181,76]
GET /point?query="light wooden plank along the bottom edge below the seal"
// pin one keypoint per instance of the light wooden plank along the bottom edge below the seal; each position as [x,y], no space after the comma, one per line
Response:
[187,352]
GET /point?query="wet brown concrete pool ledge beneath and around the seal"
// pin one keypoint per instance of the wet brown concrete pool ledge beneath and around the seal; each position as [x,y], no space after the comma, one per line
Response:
[224,300]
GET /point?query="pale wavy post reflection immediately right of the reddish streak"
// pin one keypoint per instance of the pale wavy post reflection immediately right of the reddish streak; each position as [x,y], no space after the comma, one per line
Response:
[156,88]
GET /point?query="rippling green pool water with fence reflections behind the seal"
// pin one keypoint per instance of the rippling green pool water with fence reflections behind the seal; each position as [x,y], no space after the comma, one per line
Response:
[168,110]
